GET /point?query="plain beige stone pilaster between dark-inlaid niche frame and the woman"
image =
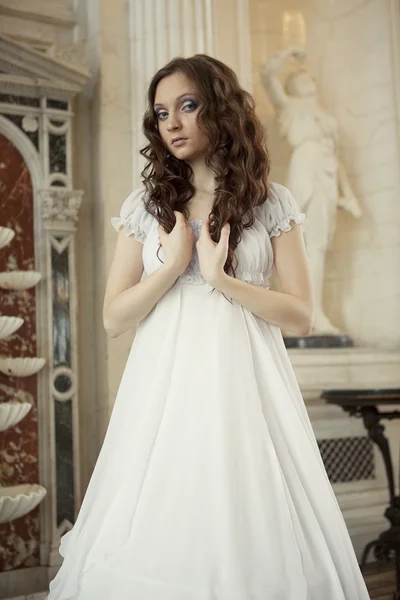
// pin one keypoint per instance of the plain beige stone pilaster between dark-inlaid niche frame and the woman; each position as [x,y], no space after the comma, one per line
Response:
[103,166]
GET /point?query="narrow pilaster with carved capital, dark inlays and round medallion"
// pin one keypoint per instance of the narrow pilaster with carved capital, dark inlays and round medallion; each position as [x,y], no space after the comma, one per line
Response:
[60,213]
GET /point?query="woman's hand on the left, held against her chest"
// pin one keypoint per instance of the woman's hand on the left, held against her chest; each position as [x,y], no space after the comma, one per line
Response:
[177,245]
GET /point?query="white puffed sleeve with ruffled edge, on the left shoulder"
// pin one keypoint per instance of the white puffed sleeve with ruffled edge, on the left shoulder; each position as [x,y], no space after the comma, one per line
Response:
[134,218]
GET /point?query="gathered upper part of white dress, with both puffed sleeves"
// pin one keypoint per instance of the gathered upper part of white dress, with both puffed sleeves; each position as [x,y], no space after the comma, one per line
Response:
[254,253]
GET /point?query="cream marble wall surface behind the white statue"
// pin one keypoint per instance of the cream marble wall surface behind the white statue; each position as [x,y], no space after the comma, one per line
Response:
[353,57]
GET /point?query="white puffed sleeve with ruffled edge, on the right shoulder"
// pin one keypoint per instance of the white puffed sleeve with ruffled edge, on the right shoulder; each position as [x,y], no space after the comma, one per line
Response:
[280,210]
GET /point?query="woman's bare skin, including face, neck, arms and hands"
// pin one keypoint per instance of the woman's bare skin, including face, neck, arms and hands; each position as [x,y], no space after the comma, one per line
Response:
[128,300]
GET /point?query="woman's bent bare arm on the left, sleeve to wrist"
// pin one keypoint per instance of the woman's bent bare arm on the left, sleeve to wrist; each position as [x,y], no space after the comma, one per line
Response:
[128,300]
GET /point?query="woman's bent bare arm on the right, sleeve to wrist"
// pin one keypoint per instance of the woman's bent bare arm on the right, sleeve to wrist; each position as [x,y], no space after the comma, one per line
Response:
[290,309]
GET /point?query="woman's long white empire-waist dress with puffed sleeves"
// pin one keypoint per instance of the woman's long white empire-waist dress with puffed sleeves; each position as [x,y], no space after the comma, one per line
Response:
[209,484]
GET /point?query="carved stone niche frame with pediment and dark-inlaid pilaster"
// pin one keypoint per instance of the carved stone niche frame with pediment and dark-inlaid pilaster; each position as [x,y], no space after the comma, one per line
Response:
[36,117]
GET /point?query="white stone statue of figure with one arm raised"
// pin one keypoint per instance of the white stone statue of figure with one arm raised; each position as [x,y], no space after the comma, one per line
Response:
[315,176]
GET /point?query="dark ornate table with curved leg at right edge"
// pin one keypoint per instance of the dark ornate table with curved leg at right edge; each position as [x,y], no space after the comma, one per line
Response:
[366,403]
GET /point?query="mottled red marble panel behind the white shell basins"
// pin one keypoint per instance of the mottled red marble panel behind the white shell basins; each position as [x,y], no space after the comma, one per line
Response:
[19,539]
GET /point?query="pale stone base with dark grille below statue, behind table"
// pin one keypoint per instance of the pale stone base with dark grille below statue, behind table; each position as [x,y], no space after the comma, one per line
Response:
[354,465]
